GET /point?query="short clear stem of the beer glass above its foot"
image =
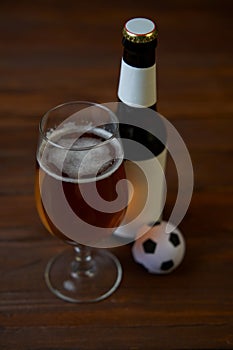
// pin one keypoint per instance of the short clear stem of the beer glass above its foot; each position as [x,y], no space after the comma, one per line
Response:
[83,264]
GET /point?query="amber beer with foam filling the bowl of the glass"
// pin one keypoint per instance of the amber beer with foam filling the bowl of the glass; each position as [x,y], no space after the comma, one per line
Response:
[77,172]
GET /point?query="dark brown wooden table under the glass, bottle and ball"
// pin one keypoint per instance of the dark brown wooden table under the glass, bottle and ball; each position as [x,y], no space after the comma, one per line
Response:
[55,51]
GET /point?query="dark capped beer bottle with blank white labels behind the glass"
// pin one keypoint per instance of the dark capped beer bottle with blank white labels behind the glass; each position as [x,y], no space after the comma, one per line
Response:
[137,93]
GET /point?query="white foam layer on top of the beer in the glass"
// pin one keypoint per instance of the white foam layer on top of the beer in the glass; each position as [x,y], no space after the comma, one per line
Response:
[79,165]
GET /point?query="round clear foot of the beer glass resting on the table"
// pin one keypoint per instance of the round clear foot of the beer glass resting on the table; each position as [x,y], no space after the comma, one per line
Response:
[76,280]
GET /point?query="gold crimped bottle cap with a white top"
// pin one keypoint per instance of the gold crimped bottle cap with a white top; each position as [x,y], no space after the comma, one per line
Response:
[140,30]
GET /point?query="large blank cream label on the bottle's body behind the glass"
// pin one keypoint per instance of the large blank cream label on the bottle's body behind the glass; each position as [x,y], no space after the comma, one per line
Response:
[148,195]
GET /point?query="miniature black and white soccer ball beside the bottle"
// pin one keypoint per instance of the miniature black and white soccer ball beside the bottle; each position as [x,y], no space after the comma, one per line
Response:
[159,252]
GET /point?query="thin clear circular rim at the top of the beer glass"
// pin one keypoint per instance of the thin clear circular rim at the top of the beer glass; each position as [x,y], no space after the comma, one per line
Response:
[99,105]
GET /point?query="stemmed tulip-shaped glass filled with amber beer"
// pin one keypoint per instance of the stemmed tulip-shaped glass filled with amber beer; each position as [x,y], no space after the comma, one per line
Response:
[81,197]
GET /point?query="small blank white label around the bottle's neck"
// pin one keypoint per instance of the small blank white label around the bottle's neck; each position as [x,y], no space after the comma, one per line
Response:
[143,81]
